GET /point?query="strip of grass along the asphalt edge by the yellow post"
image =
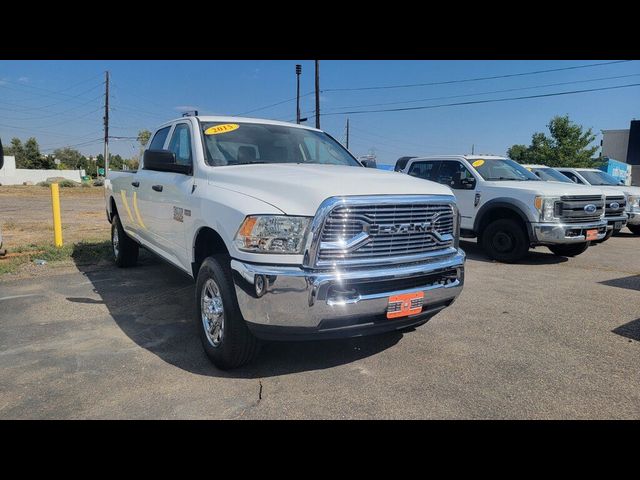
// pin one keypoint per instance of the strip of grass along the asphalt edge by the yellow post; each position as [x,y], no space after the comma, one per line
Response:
[84,252]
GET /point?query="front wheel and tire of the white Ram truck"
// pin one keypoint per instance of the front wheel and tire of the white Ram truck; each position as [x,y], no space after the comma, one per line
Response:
[225,336]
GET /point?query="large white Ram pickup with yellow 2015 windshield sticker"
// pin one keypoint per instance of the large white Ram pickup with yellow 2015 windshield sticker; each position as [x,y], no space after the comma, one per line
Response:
[287,235]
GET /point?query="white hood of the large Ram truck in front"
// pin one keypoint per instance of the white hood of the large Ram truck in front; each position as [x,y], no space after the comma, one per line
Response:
[299,189]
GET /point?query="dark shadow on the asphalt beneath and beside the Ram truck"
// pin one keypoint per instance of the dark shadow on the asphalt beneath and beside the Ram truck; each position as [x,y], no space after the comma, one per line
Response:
[153,304]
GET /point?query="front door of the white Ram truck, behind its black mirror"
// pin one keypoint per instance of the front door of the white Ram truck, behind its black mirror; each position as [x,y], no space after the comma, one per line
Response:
[168,204]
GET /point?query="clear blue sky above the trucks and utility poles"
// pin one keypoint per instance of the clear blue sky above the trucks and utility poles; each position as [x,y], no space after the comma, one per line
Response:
[61,103]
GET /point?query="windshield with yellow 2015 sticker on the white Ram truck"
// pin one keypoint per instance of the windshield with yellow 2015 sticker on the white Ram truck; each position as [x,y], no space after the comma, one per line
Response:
[246,143]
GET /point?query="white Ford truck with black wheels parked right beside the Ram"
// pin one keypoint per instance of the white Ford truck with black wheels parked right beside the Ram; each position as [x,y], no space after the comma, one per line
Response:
[509,209]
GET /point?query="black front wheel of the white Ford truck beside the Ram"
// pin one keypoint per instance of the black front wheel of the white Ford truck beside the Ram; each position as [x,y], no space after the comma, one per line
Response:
[505,240]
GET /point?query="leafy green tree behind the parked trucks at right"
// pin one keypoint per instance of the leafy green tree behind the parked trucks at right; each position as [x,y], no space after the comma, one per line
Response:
[568,146]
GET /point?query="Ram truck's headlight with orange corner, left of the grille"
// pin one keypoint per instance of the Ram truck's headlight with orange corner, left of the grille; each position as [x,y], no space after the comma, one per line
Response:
[272,234]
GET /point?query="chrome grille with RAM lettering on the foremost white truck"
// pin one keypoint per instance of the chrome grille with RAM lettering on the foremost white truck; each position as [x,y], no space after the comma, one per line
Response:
[368,233]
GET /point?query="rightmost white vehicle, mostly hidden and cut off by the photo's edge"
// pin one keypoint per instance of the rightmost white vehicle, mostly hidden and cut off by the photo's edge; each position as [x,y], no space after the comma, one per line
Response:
[598,178]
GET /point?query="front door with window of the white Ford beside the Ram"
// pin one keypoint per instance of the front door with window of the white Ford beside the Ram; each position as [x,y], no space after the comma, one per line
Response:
[459,178]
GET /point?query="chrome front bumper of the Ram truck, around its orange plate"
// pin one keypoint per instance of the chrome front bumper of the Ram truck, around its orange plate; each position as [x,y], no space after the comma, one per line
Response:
[288,302]
